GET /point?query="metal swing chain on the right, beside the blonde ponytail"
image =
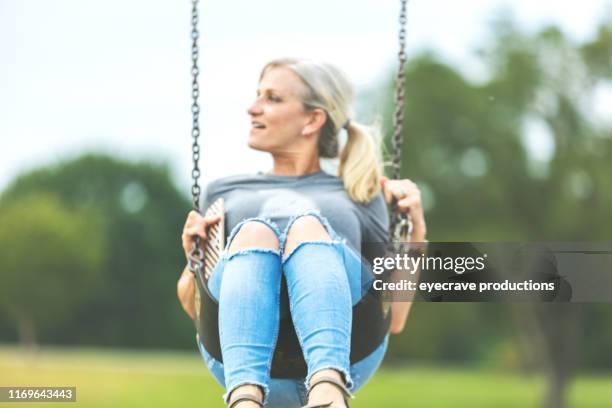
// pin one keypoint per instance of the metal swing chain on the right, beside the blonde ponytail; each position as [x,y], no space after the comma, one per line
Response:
[400,225]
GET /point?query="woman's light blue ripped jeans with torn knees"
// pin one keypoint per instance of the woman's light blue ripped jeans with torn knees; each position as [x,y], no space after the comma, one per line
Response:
[324,280]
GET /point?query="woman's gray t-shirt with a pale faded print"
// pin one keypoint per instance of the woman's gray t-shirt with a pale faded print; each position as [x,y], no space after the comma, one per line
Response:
[280,197]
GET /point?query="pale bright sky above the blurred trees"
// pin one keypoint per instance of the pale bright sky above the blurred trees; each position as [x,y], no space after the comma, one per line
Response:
[114,76]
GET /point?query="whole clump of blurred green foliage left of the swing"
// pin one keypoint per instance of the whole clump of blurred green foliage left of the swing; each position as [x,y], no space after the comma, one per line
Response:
[138,213]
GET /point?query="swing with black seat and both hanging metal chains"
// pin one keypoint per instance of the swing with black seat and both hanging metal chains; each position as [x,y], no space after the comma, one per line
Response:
[371,317]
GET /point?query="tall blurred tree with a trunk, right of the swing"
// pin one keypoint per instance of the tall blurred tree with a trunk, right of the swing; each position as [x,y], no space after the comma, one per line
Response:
[469,145]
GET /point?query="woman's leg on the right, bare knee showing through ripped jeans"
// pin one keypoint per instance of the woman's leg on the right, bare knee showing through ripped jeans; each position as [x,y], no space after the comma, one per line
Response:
[320,302]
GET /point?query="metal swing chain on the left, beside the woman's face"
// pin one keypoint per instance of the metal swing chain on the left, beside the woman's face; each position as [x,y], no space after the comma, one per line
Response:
[196,256]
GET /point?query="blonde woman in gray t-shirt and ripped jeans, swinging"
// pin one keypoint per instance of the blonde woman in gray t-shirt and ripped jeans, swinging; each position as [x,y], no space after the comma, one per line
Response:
[306,225]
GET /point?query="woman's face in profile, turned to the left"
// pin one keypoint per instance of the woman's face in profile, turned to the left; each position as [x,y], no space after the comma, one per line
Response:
[279,122]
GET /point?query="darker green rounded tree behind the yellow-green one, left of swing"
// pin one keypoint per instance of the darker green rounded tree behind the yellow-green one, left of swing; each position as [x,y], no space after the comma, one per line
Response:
[135,301]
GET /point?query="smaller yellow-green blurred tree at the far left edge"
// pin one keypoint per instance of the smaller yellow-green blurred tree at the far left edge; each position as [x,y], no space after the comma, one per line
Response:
[50,261]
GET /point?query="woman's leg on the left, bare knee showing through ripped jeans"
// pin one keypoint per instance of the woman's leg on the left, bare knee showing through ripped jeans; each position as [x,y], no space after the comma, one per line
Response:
[249,308]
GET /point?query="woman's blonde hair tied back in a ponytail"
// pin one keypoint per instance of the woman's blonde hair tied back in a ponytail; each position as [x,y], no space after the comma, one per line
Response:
[329,89]
